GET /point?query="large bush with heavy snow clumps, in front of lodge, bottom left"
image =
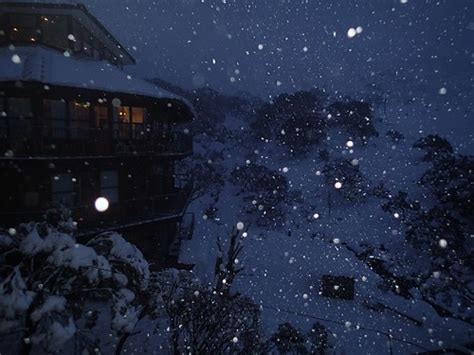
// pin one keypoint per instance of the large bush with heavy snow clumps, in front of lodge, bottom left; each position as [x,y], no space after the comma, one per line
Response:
[48,278]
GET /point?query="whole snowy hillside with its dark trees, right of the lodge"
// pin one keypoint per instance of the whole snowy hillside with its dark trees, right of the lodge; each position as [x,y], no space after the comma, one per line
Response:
[359,187]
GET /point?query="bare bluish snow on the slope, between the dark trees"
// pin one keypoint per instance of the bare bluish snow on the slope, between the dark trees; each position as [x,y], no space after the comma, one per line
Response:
[283,269]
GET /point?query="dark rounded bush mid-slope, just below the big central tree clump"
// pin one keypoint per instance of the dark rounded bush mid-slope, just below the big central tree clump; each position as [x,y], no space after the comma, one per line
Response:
[265,193]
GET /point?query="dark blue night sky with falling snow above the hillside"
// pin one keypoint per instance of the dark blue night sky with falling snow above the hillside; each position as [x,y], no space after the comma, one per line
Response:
[271,46]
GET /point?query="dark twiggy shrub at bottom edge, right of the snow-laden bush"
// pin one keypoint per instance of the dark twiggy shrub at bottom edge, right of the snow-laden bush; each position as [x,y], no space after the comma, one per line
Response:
[202,321]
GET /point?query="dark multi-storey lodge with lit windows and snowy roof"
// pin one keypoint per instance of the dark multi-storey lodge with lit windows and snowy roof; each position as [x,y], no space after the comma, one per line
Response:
[74,127]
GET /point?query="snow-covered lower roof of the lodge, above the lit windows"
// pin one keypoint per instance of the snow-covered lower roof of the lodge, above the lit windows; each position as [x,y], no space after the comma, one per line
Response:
[49,66]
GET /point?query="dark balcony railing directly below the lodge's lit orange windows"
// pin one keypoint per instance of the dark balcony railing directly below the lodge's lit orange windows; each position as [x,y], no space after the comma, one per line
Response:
[22,139]
